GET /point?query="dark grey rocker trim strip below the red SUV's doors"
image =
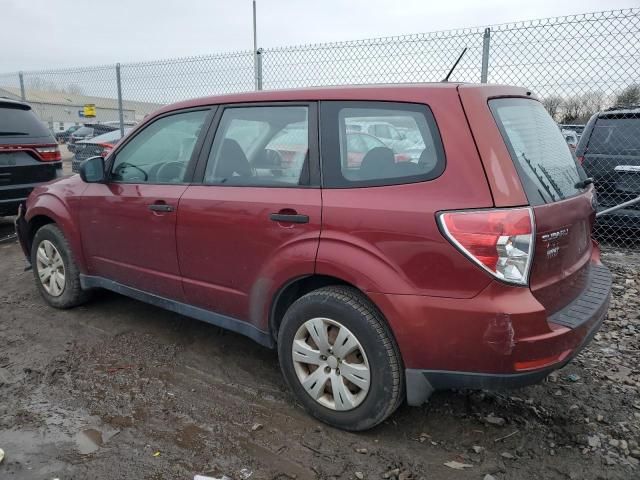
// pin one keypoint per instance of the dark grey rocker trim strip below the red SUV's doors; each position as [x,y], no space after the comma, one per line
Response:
[219,320]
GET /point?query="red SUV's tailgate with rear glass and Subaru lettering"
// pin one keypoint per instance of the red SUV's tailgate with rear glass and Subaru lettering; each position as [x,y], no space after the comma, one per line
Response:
[528,162]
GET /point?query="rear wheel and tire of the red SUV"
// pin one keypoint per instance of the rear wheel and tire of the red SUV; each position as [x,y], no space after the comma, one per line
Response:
[358,341]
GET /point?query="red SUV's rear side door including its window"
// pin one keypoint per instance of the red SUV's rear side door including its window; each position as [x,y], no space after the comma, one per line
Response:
[254,220]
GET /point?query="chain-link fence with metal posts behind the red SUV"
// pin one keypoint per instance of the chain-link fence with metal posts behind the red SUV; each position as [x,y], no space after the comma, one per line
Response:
[577,65]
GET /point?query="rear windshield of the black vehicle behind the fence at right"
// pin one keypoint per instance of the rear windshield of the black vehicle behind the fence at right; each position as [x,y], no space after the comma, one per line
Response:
[615,136]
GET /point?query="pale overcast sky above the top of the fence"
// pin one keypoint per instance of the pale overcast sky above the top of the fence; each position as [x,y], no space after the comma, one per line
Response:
[43,34]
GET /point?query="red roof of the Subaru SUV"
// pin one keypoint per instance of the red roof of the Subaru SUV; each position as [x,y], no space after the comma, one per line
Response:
[403,92]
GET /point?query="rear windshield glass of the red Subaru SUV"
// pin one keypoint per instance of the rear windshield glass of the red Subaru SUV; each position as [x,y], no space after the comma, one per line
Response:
[546,167]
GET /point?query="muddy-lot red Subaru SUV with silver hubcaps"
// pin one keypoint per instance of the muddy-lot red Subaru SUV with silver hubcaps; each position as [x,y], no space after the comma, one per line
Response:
[469,266]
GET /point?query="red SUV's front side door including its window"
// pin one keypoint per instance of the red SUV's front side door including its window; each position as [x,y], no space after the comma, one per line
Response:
[128,223]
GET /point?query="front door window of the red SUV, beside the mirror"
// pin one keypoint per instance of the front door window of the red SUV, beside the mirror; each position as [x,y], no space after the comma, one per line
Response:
[161,151]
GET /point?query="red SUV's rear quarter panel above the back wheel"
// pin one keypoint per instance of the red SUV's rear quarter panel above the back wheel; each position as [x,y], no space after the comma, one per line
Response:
[386,239]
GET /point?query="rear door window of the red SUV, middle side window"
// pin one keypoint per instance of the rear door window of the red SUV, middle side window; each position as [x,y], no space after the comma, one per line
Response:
[260,146]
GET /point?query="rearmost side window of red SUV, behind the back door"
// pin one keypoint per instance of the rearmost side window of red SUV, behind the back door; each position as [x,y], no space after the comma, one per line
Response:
[362,145]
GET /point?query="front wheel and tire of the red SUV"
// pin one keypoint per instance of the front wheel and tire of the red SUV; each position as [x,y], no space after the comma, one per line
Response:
[55,270]
